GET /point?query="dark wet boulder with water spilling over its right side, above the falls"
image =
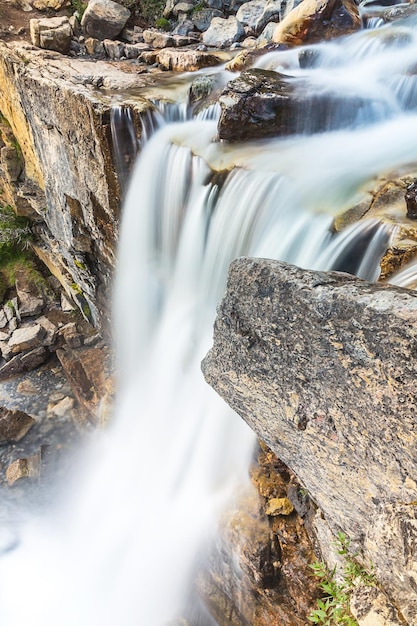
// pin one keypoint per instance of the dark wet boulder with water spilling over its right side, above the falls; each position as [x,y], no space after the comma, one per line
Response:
[263,103]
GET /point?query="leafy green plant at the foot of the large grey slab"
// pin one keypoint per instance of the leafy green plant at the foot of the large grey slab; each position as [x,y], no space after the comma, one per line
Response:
[333,607]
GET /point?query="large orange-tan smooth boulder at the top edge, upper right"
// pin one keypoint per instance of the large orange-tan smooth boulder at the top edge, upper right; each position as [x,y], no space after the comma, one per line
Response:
[317,20]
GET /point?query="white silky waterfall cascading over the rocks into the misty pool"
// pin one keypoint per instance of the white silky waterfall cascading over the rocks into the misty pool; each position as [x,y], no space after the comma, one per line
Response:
[123,547]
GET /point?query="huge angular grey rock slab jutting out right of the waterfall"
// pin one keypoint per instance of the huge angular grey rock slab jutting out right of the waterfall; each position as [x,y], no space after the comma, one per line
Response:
[322,366]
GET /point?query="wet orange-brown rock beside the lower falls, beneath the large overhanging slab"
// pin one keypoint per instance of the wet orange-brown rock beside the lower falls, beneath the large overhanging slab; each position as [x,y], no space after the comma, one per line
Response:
[258,572]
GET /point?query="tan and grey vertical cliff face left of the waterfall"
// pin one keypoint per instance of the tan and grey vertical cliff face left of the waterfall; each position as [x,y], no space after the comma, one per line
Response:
[58,167]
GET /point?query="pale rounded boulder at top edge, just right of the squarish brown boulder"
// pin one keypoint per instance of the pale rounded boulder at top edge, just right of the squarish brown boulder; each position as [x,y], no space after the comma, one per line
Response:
[104,19]
